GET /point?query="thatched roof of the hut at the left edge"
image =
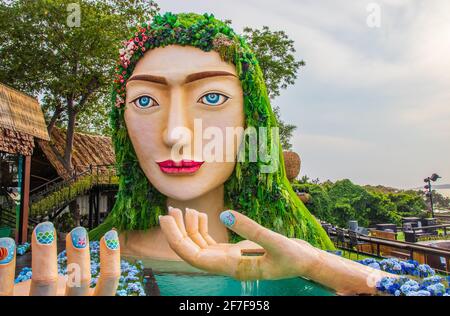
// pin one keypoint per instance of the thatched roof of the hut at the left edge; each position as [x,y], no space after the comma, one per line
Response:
[21,119]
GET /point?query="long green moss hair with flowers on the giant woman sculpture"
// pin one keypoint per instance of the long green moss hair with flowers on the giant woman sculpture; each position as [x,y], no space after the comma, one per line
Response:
[267,198]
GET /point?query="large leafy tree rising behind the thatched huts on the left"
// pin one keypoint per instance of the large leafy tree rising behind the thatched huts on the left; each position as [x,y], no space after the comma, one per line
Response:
[65,53]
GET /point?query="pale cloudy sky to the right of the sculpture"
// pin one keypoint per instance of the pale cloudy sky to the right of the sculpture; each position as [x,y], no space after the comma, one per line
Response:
[373,103]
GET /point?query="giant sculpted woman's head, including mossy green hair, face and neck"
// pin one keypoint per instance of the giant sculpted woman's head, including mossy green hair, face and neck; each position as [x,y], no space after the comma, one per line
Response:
[177,70]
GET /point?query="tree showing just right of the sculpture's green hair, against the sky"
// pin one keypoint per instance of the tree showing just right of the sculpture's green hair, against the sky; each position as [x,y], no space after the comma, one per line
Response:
[275,53]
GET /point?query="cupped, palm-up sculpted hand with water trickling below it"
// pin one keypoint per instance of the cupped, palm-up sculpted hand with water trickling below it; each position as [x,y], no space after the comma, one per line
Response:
[283,257]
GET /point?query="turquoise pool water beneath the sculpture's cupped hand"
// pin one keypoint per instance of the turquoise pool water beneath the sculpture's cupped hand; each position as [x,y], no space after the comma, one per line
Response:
[171,284]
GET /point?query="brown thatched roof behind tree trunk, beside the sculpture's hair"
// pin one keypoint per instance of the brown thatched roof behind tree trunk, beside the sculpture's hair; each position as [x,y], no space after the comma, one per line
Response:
[88,150]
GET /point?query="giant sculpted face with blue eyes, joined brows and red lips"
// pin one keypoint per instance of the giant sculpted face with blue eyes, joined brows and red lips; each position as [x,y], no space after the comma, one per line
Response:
[171,90]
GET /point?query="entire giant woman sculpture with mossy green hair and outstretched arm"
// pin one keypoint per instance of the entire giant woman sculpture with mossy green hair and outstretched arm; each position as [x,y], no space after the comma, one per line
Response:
[182,79]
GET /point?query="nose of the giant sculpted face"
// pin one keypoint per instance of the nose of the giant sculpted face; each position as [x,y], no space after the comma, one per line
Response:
[178,131]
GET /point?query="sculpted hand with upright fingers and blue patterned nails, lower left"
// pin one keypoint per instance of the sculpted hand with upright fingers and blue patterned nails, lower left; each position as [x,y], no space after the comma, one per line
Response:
[45,279]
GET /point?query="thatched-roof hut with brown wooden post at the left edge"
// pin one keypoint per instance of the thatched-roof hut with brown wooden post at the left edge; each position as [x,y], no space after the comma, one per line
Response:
[21,121]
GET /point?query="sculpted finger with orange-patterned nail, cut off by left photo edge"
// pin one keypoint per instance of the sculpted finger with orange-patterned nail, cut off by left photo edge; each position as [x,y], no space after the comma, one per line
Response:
[7,266]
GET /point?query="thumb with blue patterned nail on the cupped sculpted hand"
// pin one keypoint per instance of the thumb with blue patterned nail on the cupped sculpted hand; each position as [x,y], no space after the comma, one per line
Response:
[249,229]
